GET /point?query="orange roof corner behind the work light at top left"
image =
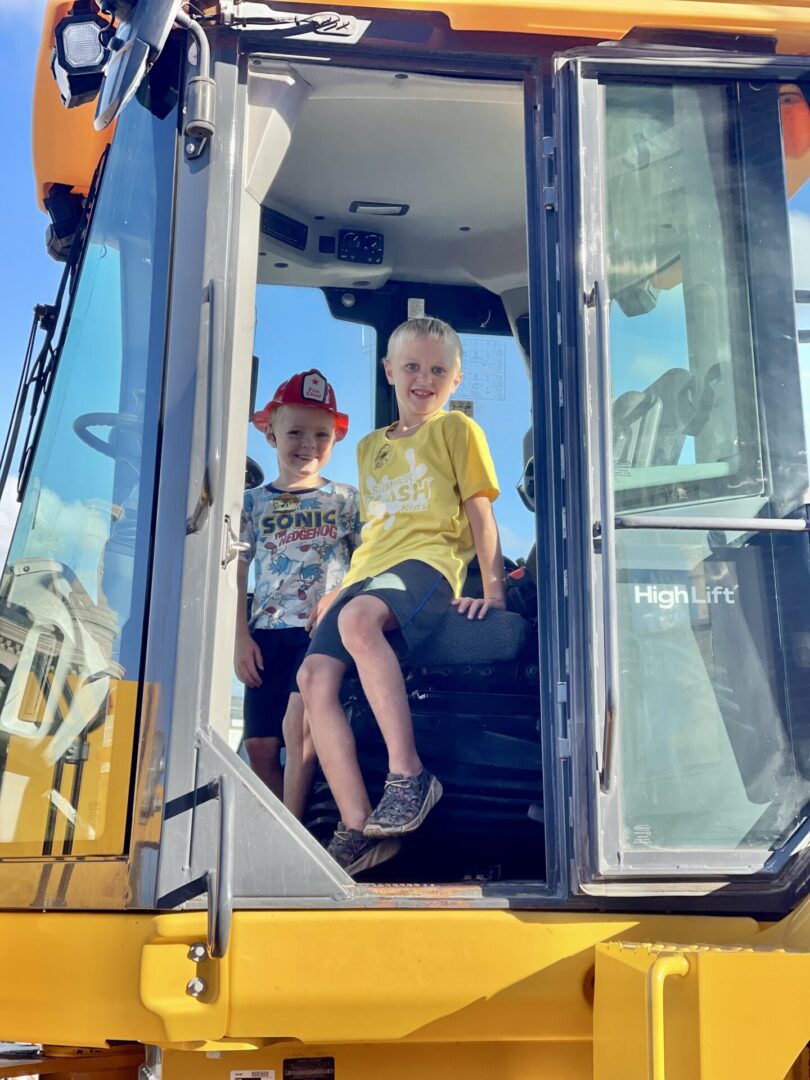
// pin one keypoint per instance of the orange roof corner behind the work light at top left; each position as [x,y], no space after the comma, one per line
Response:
[66,145]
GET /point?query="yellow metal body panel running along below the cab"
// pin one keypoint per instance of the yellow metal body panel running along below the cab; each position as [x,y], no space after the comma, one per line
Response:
[457,992]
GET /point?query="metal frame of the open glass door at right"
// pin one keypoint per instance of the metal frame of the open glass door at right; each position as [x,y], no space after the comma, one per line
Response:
[776,879]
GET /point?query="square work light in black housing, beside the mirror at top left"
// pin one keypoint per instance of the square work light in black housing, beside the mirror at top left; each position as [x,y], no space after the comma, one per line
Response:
[80,55]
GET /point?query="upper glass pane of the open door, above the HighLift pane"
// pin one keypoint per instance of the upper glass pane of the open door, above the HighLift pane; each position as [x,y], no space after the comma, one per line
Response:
[685,410]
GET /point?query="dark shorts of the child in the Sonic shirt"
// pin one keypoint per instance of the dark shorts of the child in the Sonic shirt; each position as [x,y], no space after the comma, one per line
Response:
[282,653]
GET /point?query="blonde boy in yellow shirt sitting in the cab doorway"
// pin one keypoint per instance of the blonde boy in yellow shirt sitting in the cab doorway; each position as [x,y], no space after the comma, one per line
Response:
[427,485]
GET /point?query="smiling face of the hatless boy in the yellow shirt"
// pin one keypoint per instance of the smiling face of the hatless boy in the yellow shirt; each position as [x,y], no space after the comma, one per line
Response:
[424,373]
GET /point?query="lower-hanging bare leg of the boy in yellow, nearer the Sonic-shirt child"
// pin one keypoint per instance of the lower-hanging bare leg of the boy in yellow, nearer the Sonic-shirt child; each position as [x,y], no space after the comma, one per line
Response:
[319,680]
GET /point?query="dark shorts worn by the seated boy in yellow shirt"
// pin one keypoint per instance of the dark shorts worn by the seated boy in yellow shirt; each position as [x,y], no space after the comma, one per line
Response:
[417,596]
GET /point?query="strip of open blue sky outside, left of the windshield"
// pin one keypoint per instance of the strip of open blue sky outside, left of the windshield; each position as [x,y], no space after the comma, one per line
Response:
[29,275]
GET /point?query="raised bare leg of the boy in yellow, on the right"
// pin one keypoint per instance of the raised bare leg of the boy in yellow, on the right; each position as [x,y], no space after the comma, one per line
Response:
[362,624]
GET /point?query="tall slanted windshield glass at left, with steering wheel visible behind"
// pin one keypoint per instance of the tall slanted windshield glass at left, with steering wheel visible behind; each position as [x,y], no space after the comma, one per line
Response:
[74,591]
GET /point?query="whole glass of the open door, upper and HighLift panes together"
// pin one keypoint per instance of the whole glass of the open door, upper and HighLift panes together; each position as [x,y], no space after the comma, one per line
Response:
[714,742]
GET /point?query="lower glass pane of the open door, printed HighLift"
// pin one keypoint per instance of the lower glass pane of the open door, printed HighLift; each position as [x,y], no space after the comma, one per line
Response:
[715,750]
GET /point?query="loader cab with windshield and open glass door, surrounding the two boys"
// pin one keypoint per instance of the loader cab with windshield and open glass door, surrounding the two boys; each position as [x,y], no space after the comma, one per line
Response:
[611,236]
